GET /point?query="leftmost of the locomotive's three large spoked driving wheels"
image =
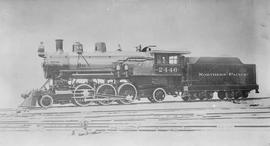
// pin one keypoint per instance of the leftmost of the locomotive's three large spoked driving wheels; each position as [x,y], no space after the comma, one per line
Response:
[82,93]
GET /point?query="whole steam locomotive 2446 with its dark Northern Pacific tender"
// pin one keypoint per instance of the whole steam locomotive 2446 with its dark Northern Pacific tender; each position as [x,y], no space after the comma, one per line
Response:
[103,77]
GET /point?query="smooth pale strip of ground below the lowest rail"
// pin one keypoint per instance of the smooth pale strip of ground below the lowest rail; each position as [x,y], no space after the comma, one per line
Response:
[205,138]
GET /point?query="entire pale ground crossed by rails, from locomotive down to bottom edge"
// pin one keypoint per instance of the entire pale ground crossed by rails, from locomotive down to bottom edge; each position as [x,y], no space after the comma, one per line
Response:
[226,115]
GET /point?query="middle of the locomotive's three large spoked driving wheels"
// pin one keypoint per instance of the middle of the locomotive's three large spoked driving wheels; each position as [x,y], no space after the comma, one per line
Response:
[105,91]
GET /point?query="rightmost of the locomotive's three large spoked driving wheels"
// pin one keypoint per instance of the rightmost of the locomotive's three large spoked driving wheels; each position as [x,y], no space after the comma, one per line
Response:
[129,92]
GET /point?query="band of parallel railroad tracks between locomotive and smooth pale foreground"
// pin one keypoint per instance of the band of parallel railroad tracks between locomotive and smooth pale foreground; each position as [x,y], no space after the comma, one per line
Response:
[172,116]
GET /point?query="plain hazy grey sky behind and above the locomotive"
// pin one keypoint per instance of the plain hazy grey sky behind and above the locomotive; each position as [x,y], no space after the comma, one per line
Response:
[207,28]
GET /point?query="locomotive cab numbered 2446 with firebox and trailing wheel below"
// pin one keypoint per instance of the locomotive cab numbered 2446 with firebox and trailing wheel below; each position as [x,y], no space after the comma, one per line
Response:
[166,75]
